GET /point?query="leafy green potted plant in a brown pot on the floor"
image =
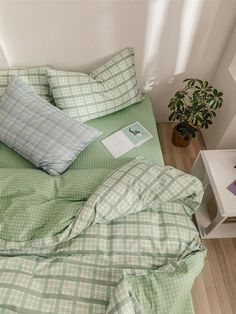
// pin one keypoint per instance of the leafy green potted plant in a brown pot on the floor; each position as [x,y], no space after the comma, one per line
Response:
[194,106]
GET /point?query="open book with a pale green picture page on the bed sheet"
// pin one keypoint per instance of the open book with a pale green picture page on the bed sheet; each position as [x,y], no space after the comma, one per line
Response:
[126,139]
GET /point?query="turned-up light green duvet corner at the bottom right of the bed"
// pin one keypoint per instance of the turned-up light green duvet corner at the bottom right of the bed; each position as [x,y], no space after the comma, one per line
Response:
[162,291]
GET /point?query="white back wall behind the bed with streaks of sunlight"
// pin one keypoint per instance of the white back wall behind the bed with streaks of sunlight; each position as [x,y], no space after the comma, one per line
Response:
[174,39]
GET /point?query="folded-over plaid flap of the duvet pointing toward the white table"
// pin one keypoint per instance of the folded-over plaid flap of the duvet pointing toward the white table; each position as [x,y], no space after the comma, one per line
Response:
[135,187]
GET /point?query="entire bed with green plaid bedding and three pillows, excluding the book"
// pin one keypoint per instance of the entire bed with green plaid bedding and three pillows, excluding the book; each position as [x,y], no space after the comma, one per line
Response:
[105,235]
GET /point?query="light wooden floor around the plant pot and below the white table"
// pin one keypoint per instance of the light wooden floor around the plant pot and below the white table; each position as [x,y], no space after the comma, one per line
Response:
[214,291]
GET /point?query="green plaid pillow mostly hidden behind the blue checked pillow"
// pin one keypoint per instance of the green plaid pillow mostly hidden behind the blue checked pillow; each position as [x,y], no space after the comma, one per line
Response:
[35,77]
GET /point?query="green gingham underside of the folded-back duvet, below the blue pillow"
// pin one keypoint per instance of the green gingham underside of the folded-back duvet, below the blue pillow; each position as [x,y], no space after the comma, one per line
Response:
[43,205]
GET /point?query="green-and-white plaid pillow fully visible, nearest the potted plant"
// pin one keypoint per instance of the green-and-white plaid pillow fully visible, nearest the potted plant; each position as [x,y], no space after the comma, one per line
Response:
[109,88]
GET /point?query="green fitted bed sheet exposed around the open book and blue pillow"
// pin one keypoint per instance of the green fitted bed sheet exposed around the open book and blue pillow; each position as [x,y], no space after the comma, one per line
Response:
[96,155]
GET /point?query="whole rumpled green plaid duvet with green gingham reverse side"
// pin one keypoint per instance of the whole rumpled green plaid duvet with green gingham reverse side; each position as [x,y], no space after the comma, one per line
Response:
[73,244]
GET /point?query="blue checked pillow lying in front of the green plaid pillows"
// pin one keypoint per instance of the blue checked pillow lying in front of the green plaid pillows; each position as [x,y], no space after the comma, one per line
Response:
[39,131]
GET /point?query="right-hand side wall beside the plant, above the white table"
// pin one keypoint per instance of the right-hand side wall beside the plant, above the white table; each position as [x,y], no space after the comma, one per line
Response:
[222,133]
